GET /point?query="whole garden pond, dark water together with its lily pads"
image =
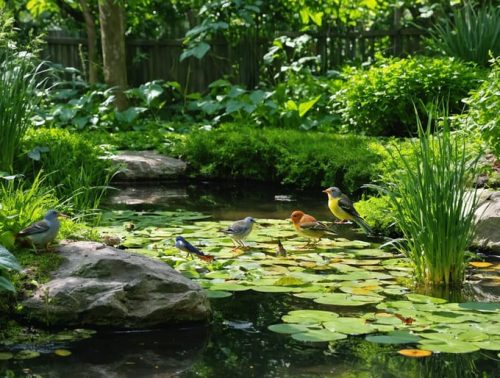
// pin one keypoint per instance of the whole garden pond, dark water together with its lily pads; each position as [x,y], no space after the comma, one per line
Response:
[351,292]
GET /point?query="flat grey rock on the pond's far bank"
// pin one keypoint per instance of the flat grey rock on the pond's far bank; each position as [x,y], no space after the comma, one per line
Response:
[147,166]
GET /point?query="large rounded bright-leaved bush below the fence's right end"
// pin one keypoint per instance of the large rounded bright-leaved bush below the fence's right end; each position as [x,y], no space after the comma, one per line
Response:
[380,100]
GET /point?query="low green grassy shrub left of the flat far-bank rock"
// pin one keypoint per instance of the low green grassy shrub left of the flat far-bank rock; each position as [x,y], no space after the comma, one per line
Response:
[75,167]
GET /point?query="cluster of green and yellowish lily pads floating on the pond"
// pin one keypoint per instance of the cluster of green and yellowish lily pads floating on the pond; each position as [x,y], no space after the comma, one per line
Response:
[370,284]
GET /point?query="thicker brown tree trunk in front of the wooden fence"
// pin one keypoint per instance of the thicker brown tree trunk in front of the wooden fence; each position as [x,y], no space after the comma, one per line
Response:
[111,18]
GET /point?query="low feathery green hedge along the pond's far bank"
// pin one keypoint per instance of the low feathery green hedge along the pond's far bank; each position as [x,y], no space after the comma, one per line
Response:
[302,159]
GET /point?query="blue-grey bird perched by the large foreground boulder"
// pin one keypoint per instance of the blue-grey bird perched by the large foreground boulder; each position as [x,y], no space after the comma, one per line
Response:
[43,232]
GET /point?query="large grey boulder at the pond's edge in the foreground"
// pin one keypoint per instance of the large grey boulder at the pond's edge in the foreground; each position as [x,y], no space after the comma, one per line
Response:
[99,286]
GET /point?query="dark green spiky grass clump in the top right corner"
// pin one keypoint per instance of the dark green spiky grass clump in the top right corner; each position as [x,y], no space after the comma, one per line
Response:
[471,34]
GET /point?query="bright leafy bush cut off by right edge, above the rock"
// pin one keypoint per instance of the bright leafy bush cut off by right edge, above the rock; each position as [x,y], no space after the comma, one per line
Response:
[484,108]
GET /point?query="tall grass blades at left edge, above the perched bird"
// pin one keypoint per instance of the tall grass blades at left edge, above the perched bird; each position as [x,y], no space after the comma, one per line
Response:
[18,81]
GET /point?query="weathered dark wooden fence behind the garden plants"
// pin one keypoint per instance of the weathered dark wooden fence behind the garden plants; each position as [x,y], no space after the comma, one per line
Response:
[151,60]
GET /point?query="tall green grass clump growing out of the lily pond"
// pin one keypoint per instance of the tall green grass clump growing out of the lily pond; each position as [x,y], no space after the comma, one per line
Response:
[434,208]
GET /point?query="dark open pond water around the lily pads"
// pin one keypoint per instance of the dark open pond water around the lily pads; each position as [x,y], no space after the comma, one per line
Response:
[238,342]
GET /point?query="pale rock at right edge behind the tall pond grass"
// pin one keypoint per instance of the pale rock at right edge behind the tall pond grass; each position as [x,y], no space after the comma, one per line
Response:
[488,223]
